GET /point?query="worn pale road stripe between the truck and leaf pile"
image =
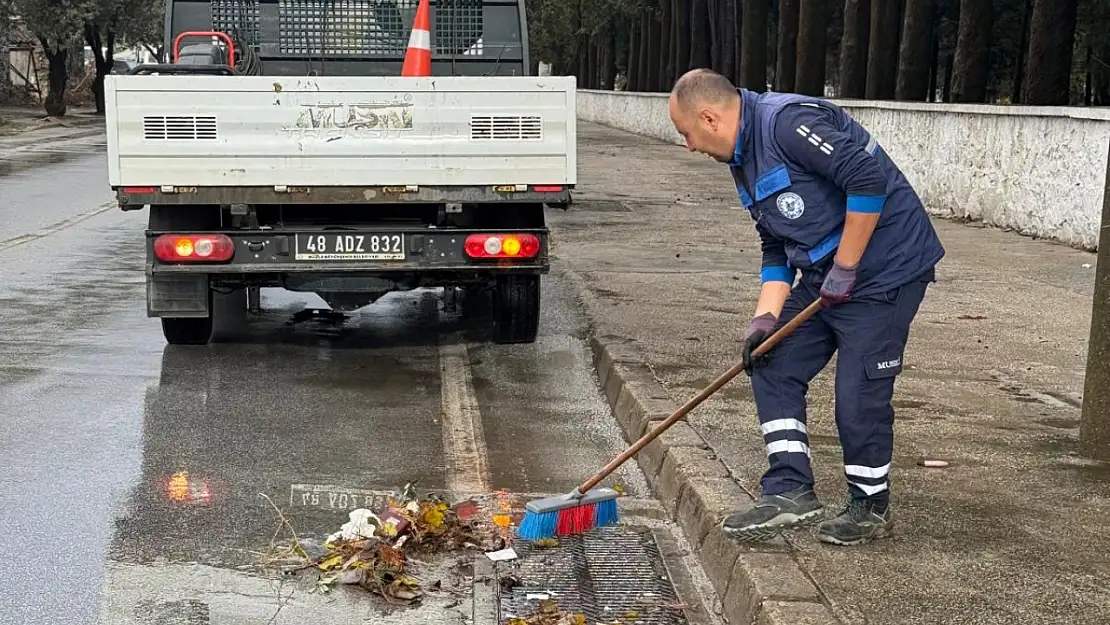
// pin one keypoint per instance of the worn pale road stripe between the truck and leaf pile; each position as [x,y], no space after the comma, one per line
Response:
[468,463]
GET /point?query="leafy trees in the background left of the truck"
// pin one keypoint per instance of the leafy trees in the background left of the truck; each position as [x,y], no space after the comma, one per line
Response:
[63,27]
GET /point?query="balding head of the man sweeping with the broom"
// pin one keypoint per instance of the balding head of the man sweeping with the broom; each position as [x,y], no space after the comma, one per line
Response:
[705,108]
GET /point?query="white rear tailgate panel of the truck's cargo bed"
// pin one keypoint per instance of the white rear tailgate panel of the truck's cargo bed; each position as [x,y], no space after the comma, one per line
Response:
[340,132]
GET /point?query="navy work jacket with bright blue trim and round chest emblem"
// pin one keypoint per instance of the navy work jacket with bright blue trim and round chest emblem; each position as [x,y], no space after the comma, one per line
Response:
[801,165]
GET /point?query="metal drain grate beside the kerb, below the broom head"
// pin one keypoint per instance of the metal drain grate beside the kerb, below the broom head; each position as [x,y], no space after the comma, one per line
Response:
[613,574]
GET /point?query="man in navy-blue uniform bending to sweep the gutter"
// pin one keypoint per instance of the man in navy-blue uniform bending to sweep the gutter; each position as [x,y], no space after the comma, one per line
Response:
[834,213]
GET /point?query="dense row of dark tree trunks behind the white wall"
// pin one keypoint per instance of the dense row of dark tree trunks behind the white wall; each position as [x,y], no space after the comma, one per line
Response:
[1000,52]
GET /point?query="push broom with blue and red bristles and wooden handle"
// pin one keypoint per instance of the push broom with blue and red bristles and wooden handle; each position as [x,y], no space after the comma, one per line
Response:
[588,507]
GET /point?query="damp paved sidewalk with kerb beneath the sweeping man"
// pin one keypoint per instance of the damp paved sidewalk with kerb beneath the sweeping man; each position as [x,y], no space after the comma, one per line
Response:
[1014,532]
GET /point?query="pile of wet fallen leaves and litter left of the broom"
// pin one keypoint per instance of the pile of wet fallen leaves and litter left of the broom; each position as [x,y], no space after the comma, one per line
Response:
[377,557]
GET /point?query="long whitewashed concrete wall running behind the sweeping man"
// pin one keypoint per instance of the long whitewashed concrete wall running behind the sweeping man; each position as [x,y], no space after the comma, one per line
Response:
[1037,170]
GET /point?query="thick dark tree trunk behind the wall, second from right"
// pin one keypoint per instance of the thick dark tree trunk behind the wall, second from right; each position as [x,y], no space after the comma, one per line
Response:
[972,65]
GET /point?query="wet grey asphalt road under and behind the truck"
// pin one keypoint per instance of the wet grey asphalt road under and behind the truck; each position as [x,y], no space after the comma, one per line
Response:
[132,472]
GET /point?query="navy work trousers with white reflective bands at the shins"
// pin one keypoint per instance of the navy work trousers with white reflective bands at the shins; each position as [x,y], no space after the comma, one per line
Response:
[870,338]
